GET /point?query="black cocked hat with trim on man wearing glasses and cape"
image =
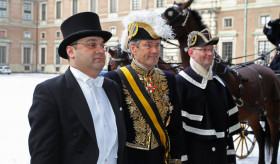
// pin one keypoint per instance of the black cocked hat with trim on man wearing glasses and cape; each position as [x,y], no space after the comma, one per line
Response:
[201,38]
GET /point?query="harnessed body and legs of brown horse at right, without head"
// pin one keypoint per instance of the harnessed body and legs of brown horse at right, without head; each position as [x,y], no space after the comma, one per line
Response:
[257,91]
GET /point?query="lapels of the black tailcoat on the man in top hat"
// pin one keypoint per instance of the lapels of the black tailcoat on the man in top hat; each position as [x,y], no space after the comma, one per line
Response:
[81,108]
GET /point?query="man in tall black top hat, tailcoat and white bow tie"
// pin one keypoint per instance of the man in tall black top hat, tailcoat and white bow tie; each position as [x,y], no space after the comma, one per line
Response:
[76,118]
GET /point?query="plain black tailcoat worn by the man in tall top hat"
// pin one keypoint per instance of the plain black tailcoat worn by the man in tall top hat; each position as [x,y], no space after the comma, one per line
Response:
[62,129]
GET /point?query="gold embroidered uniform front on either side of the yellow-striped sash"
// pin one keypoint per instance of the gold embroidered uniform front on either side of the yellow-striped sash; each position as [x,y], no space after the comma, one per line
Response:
[156,84]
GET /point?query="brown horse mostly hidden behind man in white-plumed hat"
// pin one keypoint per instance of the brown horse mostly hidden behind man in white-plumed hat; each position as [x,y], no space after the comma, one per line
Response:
[120,58]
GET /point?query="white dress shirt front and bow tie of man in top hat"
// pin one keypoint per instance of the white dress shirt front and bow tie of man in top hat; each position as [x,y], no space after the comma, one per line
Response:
[102,114]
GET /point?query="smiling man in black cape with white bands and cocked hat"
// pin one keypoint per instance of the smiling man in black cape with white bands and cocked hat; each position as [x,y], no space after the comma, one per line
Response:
[209,113]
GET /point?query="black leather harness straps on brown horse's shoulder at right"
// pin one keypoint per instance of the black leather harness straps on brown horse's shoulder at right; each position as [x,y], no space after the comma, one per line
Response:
[238,98]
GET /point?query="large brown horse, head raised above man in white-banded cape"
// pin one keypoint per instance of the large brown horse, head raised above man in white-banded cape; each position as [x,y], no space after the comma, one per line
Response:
[261,96]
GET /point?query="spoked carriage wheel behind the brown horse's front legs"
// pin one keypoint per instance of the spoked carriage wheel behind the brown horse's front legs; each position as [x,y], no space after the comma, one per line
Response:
[245,141]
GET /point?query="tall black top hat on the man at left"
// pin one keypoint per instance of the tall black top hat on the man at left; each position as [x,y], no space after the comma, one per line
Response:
[79,26]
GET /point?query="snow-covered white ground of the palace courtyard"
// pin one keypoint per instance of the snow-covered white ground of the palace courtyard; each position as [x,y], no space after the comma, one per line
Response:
[16,92]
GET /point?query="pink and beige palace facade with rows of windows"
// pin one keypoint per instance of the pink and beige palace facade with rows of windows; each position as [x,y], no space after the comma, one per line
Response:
[30,29]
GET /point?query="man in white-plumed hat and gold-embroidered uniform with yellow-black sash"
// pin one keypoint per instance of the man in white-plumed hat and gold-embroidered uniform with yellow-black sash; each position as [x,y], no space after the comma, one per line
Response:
[153,121]
